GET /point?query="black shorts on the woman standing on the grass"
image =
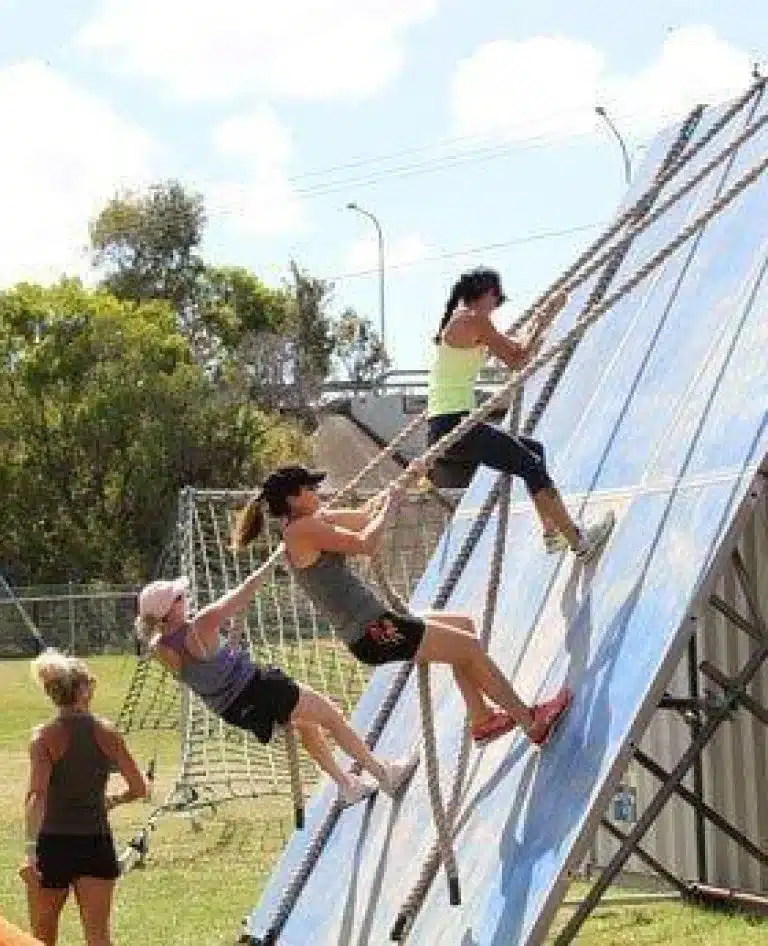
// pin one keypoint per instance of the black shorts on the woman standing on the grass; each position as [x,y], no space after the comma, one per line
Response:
[63,858]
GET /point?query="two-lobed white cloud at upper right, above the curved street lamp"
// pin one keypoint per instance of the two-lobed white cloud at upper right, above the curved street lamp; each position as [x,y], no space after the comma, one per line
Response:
[549,85]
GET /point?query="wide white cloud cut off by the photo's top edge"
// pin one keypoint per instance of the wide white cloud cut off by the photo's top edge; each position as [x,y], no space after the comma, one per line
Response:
[304,49]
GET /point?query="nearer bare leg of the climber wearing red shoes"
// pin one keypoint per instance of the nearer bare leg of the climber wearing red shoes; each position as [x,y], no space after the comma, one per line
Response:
[446,643]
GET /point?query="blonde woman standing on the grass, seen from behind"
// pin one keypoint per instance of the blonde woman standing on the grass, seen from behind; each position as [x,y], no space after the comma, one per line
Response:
[68,840]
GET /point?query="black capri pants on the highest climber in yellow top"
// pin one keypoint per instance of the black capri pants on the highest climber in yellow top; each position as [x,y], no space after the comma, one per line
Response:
[487,445]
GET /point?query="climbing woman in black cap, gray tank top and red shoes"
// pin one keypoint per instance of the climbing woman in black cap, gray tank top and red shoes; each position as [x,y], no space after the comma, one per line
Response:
[318,542]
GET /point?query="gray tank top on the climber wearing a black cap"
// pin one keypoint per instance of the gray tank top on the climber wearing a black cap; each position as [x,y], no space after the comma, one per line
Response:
[343,597]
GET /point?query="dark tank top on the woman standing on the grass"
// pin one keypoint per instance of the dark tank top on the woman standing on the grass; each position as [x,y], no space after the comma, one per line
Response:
[75,797]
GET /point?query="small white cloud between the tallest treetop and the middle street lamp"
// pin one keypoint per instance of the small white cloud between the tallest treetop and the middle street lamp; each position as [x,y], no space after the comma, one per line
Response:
[267,203]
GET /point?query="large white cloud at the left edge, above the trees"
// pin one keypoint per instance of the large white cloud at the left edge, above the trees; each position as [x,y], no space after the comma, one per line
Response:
[65,152]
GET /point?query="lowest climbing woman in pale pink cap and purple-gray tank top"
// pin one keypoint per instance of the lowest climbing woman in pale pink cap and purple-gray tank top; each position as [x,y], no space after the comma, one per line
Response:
[250,696]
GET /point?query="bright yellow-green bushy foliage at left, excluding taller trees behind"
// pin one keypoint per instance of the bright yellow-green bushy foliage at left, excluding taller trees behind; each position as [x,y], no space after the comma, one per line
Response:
[104,418]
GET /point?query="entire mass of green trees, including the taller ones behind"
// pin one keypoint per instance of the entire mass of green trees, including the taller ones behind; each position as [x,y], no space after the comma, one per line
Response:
[167,375]
